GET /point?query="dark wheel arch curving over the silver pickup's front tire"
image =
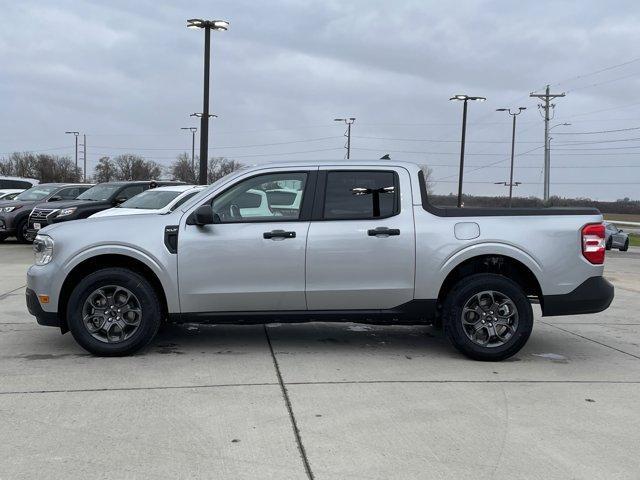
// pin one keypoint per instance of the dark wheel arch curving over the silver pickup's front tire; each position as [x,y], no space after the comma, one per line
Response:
[107,260]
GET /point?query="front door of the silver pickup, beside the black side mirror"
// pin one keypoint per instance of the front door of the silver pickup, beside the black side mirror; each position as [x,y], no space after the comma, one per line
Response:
[253,258]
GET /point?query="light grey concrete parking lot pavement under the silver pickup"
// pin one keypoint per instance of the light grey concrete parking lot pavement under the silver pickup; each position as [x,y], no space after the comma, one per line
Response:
[323,401]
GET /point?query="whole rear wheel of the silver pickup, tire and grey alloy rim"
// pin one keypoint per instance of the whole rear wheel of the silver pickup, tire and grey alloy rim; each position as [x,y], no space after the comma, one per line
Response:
[487,317]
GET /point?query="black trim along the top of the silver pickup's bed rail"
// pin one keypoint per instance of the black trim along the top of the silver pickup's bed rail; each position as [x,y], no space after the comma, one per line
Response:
[495,212]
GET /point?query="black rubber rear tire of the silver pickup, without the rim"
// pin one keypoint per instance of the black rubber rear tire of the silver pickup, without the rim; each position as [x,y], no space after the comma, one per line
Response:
[465,290]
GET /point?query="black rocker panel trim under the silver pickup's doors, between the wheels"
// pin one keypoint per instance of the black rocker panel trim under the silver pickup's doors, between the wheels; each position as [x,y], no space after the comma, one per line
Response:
[410,313]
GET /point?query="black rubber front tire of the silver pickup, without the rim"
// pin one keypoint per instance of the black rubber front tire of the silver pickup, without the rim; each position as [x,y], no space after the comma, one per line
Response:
[151,311]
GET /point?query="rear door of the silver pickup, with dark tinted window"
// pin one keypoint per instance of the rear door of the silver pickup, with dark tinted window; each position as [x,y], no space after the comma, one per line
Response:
[361,243]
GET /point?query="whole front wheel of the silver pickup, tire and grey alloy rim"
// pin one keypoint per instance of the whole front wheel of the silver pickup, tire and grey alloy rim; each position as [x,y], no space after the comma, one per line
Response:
[113,312]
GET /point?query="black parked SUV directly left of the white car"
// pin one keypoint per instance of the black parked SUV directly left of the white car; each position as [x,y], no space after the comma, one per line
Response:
[98,198]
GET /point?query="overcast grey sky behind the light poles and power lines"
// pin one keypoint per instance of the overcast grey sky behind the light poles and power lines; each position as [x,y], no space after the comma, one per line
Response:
[128,74]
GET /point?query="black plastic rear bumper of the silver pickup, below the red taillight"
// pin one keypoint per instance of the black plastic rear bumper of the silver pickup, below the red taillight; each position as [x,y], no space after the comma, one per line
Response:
[592,296]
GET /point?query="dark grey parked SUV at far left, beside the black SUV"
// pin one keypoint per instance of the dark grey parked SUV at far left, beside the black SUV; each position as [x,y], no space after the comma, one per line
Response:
[14,214]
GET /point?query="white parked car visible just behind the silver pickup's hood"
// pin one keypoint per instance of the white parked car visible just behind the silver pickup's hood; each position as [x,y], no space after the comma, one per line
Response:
[157,200]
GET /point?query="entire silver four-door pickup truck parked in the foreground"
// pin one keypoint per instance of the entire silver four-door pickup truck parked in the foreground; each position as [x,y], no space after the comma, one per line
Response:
[359,242]
